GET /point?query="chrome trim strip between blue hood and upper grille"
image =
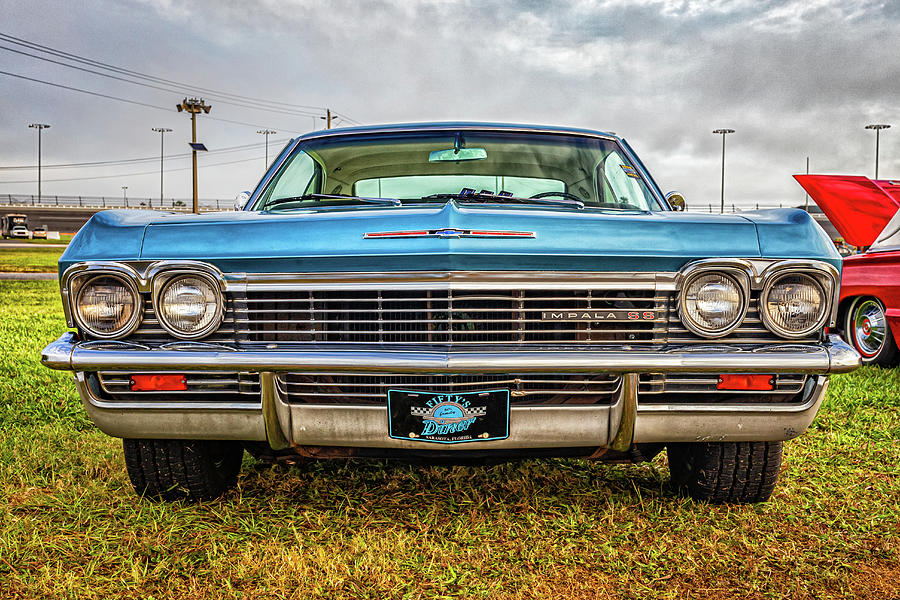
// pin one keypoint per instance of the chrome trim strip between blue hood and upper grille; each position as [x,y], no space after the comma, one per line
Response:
[632,280]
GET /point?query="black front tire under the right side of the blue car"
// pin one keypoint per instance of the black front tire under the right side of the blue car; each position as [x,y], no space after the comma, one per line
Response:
[725,472]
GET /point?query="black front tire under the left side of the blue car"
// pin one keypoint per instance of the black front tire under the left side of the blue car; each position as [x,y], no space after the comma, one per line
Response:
[182,469]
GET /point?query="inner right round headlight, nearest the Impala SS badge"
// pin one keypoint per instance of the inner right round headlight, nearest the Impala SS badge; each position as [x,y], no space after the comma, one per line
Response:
[712,304]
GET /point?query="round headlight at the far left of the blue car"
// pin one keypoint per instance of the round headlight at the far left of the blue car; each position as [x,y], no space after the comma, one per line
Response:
[107,306]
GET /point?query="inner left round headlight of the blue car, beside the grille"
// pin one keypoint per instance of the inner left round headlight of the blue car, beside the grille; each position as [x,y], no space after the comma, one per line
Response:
[189,306]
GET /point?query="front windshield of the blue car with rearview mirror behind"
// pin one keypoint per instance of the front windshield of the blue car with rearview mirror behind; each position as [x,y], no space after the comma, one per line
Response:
[481,166]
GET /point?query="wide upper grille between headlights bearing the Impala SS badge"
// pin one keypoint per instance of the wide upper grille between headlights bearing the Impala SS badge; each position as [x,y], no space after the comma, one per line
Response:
[447,316]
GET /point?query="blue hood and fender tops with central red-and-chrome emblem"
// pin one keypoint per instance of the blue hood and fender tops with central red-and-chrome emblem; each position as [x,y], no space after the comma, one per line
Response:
[334,239]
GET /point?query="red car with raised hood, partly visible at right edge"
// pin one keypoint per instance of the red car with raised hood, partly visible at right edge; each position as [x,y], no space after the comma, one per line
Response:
[867,213]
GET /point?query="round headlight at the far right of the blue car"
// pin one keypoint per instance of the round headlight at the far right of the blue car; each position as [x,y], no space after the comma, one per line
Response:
[793,304]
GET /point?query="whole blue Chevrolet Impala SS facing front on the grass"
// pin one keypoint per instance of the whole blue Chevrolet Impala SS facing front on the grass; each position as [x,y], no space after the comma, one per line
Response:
[452,291]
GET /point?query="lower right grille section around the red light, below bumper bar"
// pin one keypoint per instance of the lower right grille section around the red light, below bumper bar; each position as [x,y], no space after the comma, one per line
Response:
[699,388]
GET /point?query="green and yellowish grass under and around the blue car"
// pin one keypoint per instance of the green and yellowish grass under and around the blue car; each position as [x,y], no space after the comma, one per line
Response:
[71,526]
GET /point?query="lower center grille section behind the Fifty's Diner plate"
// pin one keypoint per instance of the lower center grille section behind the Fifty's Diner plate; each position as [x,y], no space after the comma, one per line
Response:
[525,389]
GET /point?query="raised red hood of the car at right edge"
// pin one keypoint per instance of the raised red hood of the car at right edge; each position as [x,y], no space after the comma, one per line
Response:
[858,207]
